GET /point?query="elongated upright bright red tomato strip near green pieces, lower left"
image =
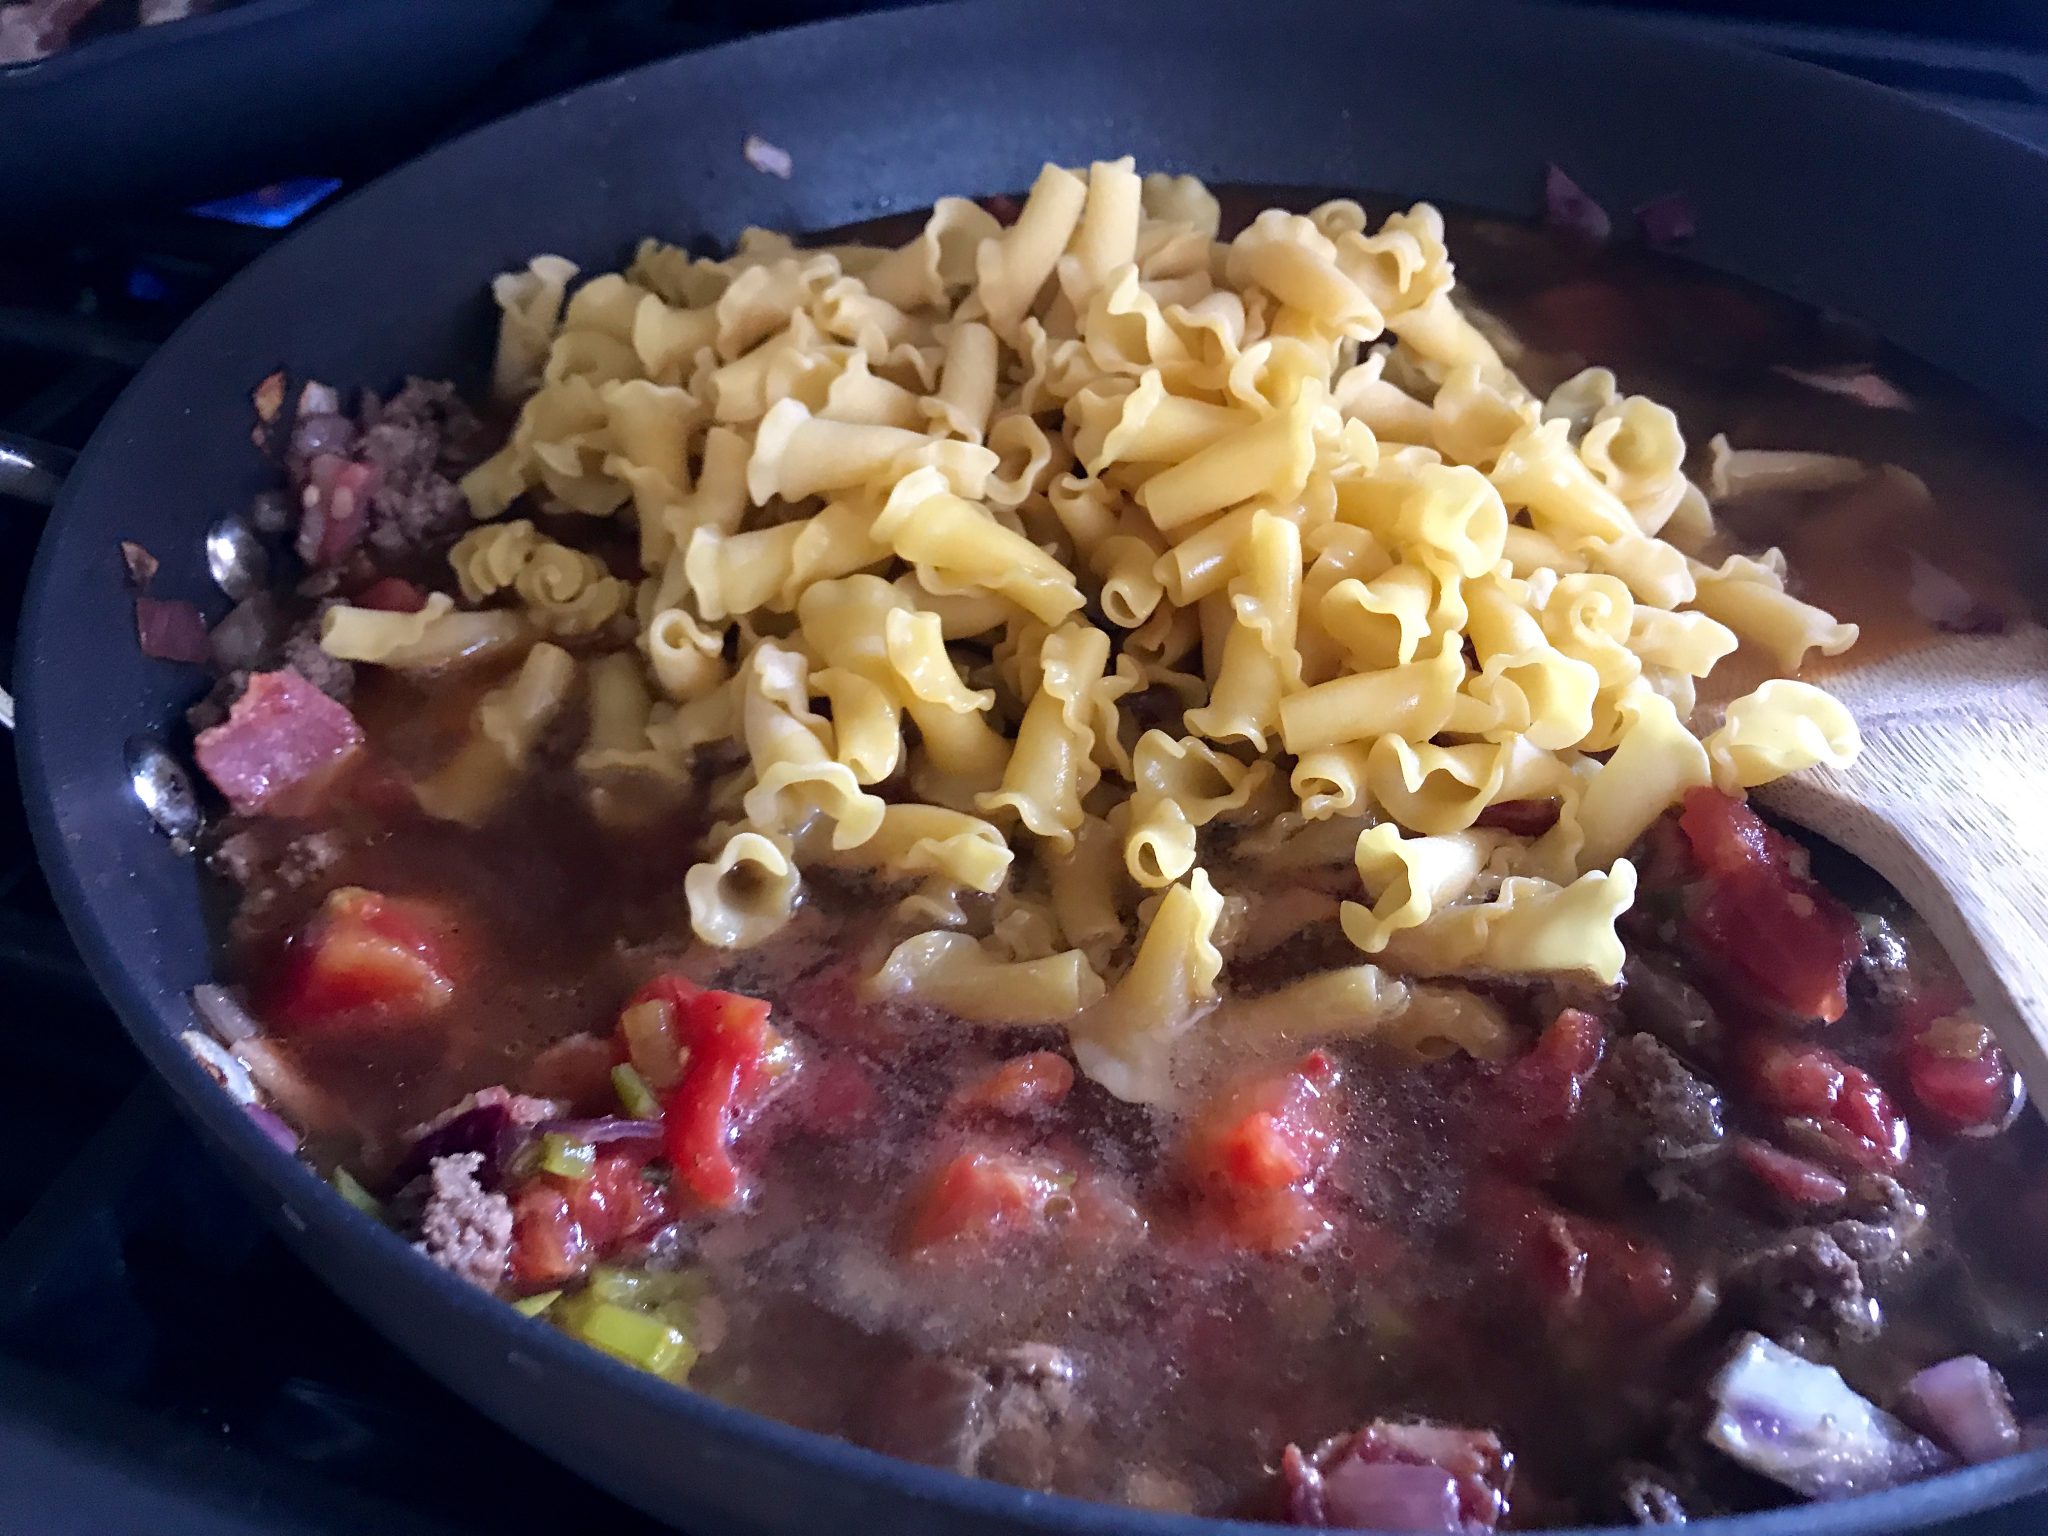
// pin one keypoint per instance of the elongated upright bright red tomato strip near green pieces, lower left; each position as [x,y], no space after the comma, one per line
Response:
[730,1062]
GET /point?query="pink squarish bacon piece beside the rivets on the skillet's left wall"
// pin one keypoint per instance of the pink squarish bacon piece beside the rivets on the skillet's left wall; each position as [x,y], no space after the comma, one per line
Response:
[280,746]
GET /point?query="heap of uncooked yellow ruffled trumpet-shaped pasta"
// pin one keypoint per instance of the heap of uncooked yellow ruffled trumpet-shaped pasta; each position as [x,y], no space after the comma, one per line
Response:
[933,531]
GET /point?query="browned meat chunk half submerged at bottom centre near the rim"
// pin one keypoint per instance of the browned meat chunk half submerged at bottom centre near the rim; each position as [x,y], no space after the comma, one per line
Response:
[1015,1416]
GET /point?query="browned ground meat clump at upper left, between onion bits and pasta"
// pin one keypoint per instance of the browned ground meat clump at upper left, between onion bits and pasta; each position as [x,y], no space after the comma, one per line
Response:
[419,441]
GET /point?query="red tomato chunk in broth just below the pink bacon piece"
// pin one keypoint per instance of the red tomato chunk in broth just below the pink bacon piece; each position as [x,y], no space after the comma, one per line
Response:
[368,957]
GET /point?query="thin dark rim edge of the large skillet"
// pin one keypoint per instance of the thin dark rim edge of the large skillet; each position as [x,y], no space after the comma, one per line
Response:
[155,1027]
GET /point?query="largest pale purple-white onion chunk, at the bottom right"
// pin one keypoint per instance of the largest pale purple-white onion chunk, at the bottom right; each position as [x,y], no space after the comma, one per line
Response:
[1801,1426]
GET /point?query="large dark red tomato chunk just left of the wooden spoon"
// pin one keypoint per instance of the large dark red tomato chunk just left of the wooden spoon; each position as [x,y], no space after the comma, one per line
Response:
[1787,939]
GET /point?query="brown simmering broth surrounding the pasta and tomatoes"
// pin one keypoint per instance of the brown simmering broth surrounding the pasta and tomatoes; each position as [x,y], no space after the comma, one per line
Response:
[1201,1363]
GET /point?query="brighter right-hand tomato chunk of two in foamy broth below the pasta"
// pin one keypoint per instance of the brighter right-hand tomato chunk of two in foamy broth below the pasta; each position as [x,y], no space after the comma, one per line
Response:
[1256,1154]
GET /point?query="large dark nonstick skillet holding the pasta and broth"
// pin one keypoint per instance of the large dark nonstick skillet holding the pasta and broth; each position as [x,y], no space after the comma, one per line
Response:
[1820,187]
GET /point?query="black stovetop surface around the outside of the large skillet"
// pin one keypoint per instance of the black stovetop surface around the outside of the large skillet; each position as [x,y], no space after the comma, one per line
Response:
[165,1367]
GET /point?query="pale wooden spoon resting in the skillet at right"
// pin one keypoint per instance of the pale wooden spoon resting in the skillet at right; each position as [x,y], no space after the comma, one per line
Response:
[1949,802]
